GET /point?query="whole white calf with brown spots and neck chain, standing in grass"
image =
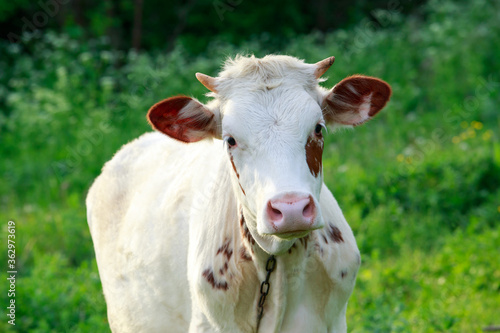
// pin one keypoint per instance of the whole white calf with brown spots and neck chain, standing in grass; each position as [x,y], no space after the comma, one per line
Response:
[220,221]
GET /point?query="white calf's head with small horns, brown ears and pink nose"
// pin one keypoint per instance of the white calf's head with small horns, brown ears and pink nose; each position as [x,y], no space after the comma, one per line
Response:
[271,115]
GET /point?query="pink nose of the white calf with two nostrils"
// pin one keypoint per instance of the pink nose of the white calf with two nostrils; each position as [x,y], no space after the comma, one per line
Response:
[291,213]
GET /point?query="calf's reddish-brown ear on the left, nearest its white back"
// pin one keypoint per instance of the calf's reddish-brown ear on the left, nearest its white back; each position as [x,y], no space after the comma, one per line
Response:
[183,118]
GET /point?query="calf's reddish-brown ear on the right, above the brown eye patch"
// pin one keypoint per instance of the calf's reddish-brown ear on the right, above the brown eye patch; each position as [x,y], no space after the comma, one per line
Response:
[355,99]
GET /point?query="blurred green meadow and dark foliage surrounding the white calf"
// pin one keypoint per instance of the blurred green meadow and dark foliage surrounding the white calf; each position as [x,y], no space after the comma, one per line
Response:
[420,184]
